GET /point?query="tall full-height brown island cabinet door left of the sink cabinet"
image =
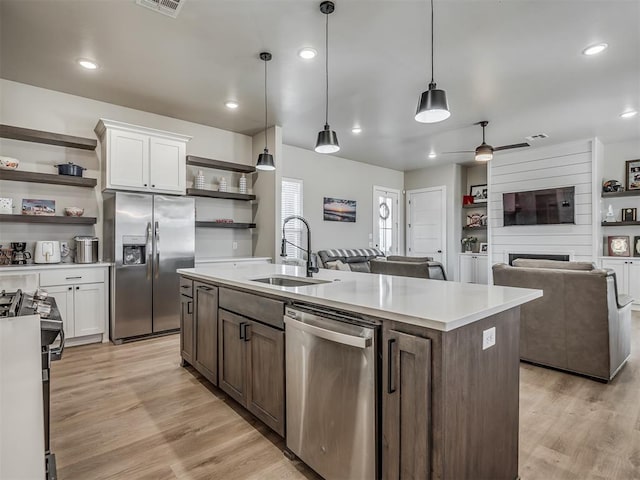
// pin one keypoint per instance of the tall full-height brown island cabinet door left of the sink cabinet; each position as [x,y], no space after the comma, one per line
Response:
[206,327]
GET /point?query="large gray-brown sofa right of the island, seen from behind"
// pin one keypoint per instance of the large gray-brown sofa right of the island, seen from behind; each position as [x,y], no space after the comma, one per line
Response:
[580,324]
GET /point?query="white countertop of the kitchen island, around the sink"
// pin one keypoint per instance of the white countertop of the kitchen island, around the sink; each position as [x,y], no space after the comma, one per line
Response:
[436,304]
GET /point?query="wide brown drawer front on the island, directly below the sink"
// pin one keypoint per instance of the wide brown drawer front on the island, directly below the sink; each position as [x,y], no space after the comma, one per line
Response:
[263,309]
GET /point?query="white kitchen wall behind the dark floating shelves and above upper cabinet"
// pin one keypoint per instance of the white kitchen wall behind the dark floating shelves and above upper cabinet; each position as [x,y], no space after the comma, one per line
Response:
[37,108]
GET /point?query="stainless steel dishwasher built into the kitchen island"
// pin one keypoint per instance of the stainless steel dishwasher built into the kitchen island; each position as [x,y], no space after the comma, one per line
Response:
[332,370]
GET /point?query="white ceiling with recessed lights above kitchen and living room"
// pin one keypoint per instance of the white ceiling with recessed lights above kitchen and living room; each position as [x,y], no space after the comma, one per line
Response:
[516,63]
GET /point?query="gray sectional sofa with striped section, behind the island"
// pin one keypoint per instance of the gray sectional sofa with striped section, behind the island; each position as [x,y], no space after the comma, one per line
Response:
[373,260]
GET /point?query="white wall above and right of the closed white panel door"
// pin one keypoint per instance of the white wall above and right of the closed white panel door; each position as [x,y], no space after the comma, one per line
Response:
[449,176]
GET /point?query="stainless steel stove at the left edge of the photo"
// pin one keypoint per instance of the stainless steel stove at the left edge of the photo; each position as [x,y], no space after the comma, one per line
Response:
[18,304]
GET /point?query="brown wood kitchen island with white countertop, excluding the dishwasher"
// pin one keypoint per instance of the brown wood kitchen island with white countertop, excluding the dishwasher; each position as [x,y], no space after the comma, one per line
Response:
[448,376]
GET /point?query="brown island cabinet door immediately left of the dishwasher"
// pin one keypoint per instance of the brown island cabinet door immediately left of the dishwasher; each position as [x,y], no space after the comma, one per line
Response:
[265,368]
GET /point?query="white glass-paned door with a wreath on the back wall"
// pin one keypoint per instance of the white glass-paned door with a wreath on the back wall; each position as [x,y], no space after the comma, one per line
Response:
[386,220]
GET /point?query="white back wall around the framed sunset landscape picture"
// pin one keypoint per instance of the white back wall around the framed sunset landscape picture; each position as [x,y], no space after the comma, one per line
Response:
[330,176]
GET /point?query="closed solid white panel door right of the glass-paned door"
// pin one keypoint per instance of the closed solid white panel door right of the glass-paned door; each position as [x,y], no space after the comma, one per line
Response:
[426,223]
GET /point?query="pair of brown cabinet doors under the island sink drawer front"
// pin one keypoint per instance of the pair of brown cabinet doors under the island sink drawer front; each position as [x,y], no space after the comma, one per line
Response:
[251,362]
